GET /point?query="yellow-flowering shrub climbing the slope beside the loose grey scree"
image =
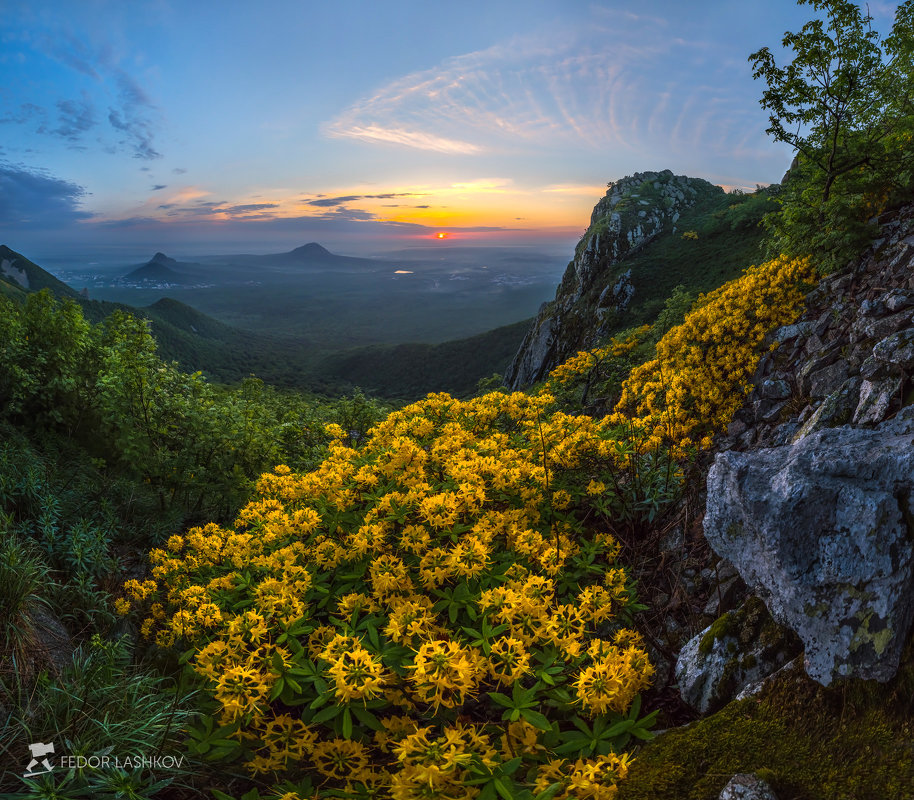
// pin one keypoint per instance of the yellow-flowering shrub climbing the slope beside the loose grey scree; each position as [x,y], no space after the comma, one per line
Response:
[700,375]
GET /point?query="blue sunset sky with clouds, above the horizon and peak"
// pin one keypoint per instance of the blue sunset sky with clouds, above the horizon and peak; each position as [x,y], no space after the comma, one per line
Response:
[213,127]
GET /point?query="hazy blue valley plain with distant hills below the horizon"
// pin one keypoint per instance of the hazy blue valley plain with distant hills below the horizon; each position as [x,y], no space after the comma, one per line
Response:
[420,294]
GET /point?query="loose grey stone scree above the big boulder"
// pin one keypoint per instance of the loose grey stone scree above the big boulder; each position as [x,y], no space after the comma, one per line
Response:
[850,357]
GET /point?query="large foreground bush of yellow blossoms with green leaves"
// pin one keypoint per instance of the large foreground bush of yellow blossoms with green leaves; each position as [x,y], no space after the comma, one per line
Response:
[389,595]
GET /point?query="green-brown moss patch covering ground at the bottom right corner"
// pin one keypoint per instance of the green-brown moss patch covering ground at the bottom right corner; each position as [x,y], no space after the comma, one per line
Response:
[852,740]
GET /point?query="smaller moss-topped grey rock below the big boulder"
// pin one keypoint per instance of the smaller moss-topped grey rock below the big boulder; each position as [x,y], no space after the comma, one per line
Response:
[741,648]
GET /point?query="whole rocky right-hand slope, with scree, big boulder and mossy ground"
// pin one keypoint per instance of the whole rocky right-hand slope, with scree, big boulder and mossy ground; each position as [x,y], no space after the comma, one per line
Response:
[808,515]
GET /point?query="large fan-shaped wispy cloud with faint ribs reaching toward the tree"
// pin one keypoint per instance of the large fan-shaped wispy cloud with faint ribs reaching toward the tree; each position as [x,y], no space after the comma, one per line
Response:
[606,87]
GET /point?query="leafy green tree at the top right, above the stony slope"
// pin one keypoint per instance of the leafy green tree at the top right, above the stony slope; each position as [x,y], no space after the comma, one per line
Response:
[845,103]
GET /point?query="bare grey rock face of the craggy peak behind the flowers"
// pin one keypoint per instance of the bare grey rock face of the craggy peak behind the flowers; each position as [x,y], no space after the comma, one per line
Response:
[597,286]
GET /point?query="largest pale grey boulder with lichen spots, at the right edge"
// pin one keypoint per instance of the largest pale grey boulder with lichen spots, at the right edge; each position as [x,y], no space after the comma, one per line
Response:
[823,530]
